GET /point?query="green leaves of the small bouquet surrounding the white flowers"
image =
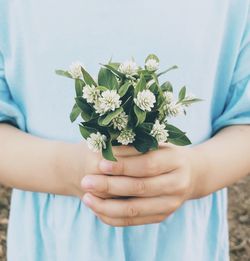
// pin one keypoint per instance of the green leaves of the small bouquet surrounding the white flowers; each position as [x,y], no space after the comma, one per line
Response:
[127,88]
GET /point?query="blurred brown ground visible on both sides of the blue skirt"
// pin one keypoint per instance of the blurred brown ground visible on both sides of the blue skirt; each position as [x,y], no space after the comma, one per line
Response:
[238,215]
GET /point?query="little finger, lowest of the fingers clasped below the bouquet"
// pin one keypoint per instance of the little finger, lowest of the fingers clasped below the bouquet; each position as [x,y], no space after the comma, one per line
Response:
[124,222]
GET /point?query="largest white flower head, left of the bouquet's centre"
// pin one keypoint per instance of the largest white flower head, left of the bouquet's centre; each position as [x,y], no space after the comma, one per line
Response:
[108,101]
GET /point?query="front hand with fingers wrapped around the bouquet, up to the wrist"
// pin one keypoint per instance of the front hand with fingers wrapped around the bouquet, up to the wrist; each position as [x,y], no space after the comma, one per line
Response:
[150,186]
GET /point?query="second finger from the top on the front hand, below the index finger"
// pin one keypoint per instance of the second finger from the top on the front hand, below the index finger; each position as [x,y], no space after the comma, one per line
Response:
[166,184]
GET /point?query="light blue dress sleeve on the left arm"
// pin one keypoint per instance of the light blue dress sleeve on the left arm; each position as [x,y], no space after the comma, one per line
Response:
[9,111]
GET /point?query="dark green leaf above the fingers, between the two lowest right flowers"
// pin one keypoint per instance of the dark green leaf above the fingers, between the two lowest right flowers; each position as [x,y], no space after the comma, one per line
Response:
[144,141]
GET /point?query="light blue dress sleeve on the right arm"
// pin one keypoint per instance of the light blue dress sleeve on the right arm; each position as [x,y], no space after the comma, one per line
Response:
[237,107]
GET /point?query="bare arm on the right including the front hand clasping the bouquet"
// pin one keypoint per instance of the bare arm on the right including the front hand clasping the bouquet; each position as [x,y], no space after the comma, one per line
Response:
[161,181]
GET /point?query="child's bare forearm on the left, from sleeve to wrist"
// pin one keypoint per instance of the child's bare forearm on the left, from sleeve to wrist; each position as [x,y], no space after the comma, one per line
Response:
[34,164]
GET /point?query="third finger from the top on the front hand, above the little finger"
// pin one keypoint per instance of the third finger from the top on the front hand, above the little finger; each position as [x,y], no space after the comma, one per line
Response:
[132,207]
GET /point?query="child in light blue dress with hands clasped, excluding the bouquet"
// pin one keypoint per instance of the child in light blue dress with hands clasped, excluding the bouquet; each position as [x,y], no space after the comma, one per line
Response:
[64,203]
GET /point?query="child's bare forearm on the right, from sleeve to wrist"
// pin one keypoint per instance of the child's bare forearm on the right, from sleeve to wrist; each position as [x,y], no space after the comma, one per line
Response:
[222,160]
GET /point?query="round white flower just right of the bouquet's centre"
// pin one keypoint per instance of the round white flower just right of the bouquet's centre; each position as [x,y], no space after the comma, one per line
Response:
[145,100]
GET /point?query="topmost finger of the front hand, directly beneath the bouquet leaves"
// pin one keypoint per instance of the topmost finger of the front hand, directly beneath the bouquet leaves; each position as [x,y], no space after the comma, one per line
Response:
[149,164]
